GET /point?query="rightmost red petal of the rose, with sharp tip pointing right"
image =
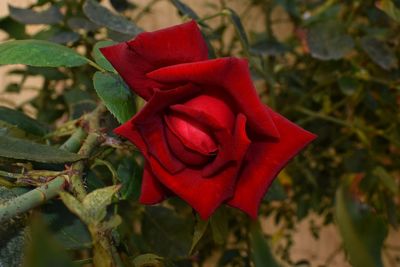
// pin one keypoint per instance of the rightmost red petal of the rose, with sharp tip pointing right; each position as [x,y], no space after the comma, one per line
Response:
[263,162]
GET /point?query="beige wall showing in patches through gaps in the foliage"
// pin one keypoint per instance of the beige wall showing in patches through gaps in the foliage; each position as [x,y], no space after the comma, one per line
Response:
[163,15]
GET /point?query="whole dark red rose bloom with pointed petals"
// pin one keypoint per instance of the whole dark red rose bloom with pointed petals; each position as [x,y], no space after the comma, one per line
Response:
[204,132]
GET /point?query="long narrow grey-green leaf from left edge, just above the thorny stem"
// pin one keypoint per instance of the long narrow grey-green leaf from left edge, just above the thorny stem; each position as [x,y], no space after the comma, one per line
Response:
[25,150]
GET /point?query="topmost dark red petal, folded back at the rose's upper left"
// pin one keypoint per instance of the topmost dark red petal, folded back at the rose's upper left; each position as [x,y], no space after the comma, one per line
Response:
[152,50]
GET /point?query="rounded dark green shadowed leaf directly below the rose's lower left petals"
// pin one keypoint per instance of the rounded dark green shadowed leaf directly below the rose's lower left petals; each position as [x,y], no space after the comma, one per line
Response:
[160,223]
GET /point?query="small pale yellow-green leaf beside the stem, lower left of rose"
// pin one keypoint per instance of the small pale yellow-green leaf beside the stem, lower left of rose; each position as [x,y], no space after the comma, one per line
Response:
[96,202]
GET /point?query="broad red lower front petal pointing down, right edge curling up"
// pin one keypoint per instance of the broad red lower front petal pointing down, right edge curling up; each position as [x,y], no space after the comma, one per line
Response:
[205,194]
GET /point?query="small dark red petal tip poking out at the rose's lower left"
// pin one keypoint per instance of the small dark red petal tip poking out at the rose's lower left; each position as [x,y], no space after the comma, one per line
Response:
[152,191]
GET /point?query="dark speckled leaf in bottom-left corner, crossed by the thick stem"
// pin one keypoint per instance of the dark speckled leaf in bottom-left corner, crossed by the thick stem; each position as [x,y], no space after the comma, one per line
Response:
[12,235]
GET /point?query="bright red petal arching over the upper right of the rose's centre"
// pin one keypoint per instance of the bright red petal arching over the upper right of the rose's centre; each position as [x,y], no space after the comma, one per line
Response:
[233,76]
